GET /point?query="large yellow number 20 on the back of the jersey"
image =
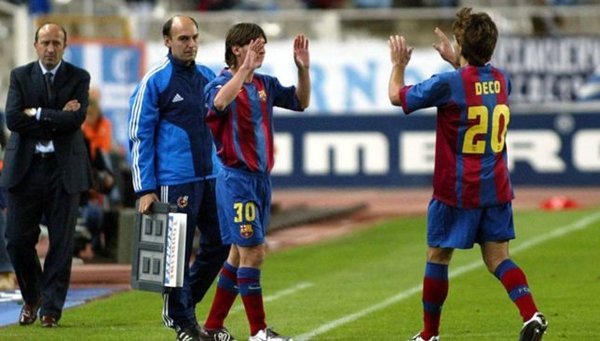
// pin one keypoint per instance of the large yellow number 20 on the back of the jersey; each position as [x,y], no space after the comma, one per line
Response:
[473,144]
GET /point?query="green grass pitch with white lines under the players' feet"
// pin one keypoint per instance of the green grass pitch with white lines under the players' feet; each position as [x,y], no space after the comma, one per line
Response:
[366,286]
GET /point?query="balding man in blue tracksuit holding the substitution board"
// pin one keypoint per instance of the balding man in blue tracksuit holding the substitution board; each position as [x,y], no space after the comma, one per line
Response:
[171,149]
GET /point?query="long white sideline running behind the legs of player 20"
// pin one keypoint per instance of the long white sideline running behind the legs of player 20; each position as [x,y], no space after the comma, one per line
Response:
[559,232]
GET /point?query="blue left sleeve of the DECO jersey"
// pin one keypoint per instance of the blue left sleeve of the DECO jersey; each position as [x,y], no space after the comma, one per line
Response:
[432,92]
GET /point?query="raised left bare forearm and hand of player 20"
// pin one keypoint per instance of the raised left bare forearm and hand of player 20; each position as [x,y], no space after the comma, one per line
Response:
[400,54]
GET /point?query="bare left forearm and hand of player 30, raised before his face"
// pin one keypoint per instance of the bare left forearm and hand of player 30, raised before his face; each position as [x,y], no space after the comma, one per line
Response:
[230,90]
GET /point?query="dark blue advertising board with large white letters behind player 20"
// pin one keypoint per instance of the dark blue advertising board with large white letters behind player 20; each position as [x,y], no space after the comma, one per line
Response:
[558,149]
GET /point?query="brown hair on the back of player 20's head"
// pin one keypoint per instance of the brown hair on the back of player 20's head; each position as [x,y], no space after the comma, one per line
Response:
[477,34]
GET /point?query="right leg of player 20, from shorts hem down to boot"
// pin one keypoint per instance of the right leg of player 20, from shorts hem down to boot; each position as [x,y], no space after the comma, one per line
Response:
[497,228]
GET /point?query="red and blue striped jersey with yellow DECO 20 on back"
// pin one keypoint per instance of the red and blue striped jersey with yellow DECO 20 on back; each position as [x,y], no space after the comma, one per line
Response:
[471,168]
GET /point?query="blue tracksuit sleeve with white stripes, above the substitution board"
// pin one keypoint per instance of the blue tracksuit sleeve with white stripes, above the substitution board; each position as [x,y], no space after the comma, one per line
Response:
[143,118]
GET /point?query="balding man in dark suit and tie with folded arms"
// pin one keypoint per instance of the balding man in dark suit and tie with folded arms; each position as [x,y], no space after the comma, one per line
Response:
[46,167]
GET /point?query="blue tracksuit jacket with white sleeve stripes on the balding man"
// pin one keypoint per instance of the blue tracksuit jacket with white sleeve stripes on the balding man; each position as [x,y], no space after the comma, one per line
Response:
[169,142]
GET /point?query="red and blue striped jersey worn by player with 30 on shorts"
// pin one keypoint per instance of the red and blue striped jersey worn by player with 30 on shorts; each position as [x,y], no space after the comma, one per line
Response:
[243,131]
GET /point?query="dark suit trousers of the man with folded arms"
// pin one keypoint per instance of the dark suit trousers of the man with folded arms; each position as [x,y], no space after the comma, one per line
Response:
[41,193]
